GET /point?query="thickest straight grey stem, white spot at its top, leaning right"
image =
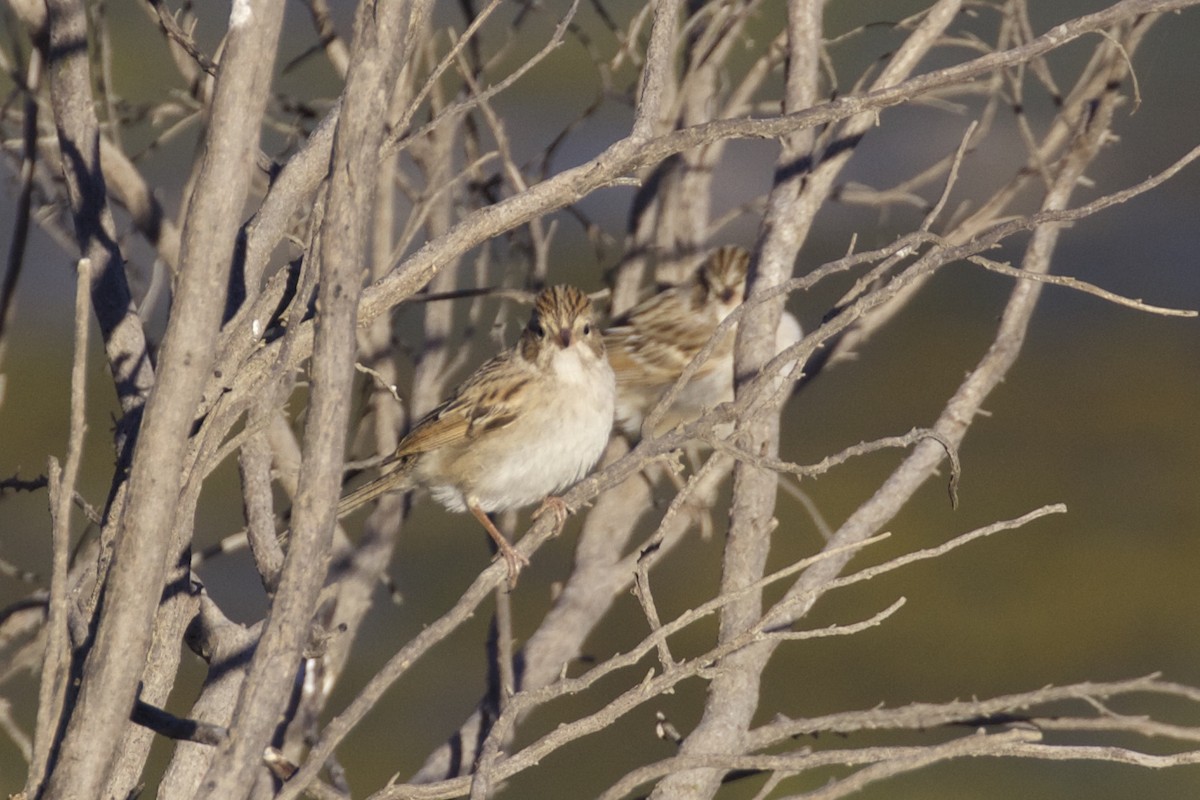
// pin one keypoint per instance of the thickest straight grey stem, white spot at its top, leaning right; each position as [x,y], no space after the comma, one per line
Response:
[136,581]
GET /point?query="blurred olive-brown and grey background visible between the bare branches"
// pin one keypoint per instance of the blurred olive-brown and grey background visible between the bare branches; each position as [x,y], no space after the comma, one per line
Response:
[1100,414]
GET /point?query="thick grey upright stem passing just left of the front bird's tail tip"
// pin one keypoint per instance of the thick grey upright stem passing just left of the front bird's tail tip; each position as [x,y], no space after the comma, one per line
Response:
[375,64]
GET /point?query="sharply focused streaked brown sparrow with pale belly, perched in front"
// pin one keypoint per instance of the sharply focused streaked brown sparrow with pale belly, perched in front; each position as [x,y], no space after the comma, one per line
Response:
[526,425]
